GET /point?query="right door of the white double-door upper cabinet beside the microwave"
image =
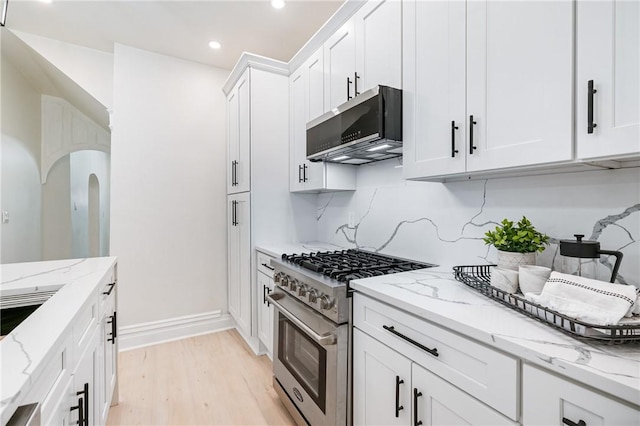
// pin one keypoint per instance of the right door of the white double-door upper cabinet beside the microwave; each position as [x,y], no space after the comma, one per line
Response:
[519,83]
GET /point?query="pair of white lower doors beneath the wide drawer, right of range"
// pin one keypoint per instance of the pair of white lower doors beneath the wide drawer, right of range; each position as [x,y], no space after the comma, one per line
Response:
[390,389]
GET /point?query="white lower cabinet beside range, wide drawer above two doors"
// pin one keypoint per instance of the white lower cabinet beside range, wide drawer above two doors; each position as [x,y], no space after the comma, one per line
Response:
[407,370]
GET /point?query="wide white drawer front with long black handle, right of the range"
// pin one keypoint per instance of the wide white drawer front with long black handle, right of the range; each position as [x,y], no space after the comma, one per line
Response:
[486,374]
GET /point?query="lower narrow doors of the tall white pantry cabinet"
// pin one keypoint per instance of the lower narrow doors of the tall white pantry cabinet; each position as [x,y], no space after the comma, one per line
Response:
[239,253]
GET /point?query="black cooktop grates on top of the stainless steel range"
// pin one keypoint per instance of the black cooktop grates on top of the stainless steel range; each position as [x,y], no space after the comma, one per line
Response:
[346,265]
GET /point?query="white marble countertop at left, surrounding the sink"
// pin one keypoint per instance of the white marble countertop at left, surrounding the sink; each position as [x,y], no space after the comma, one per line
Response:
[25,351]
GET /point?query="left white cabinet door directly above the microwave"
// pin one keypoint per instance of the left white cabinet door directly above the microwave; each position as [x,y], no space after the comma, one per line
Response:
[339,66]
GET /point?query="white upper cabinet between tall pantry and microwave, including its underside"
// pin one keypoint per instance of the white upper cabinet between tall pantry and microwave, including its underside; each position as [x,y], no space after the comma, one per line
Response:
[306,102]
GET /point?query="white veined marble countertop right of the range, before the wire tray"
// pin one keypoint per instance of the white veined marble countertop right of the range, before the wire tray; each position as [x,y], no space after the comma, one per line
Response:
[435,295]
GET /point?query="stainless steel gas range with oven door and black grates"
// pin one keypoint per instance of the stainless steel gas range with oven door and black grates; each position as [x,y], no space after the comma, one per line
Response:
[311,333]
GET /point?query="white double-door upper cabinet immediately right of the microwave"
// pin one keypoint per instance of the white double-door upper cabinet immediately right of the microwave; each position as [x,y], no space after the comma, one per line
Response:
[487,86]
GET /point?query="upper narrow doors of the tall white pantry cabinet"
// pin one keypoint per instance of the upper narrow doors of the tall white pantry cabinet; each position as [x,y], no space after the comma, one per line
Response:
[238,136]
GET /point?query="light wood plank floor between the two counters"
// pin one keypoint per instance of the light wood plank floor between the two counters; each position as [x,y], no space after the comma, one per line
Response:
[213,379]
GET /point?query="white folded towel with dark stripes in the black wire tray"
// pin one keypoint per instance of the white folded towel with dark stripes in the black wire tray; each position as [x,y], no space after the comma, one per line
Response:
[591,301]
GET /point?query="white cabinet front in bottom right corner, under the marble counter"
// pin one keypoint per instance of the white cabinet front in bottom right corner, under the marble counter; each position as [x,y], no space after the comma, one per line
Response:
[548,399]
